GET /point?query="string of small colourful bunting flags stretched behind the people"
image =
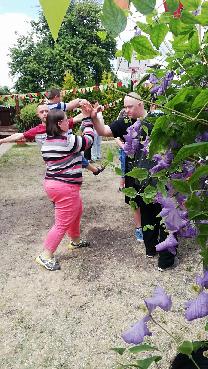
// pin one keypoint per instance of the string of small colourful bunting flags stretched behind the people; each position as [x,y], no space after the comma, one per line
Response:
[83,90]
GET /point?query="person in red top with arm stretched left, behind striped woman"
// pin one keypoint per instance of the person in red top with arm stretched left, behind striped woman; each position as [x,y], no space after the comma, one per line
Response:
[37,133]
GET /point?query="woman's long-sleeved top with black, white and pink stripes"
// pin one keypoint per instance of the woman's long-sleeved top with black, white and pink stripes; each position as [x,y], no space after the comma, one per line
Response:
[62,155]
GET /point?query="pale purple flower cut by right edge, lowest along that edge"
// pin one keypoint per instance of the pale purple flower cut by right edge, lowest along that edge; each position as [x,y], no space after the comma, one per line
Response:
[197,308]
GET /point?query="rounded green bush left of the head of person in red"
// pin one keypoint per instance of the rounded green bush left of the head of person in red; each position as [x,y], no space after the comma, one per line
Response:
[28,118]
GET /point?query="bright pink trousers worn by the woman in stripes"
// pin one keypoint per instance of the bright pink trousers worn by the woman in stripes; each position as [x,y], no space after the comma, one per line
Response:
[68,212]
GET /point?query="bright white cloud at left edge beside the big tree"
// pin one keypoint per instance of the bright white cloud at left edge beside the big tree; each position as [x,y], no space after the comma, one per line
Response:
[10,23]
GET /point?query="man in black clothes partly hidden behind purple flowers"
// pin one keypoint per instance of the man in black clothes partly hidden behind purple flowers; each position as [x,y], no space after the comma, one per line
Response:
[135,109]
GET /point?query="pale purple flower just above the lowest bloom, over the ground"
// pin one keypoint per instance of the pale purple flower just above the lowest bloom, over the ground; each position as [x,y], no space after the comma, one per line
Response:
[160,298]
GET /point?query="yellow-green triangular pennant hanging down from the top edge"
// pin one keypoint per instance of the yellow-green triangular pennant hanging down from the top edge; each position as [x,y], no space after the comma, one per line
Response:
[54,14]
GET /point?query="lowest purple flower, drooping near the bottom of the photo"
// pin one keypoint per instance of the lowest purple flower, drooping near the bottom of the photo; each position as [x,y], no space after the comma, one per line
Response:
[137,332]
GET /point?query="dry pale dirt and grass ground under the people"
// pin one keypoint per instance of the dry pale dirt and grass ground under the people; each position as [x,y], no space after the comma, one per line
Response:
[70,319]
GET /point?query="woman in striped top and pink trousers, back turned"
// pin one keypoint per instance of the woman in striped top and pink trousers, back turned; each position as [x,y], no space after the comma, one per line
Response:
[63,179]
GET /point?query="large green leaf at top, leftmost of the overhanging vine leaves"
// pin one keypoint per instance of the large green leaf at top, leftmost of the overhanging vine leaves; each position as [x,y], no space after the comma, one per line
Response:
[113,18]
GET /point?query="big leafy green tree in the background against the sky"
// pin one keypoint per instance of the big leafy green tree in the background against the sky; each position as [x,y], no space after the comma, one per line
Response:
[38,62]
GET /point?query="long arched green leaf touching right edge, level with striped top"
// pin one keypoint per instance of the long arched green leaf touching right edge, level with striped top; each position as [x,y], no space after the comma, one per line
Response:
[199,149]
